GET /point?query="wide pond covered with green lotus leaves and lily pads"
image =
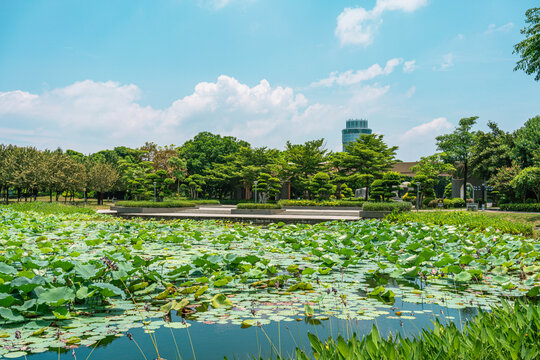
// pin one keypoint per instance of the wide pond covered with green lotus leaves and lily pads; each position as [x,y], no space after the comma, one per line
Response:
[71,284]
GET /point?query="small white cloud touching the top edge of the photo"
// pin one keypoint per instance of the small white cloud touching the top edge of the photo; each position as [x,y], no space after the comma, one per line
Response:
[358,25]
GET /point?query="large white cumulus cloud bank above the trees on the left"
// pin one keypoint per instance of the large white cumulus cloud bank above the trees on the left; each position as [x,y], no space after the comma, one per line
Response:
[91,115]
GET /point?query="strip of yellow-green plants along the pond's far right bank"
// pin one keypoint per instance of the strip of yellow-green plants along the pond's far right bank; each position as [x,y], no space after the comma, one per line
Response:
[472,221]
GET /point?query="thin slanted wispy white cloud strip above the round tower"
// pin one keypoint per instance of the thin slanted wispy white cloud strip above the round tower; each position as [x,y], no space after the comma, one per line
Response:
[354,77]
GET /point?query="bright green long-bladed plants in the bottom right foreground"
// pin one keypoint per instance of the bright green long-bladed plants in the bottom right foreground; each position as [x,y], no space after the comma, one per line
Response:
[509,332]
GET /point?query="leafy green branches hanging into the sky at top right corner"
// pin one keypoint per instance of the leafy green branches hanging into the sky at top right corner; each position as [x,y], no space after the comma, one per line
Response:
[529,49]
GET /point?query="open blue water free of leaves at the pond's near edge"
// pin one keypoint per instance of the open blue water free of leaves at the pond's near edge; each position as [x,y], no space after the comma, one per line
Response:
[215,341]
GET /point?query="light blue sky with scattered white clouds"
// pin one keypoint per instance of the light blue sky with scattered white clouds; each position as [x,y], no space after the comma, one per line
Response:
[92,75]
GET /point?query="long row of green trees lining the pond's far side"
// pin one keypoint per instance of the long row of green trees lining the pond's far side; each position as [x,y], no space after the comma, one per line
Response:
[224,167]
